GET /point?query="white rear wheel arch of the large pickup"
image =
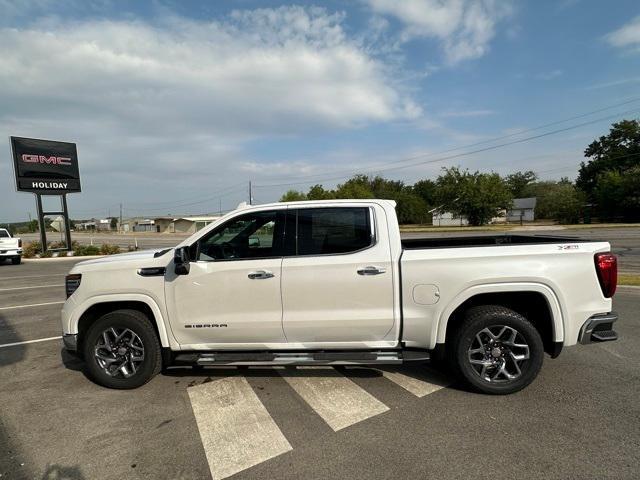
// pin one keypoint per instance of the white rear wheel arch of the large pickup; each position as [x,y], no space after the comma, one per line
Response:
[536,302]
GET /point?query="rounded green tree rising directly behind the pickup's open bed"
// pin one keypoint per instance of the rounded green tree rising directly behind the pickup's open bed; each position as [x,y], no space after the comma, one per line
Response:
[478,196]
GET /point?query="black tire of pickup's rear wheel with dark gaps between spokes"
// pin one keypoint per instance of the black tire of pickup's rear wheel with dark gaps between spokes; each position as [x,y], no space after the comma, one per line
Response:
[468,348]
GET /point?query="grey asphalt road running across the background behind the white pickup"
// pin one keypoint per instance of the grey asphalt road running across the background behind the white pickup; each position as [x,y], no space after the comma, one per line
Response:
[625,241]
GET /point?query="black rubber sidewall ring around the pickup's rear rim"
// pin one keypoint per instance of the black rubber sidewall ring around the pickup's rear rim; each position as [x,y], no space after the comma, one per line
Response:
[511,319]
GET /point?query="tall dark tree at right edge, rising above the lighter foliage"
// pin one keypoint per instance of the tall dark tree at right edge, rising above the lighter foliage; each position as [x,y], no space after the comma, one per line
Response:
[618,151]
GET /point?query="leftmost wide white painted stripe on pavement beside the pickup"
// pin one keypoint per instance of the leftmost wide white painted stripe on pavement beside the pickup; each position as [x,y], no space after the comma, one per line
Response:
[236,429]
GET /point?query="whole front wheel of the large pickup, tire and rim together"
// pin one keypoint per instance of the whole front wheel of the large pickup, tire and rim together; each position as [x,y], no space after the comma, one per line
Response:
[122,350]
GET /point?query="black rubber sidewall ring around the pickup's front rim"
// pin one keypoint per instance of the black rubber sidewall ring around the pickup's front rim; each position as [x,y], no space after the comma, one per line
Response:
[141,327]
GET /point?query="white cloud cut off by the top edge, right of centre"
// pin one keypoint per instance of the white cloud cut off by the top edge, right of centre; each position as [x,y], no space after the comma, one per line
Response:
[464,27]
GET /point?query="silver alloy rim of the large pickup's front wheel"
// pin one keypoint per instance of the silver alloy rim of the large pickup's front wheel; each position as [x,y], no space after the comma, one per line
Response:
[119,352]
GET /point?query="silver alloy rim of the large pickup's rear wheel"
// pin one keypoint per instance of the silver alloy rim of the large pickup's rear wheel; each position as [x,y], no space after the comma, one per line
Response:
[498,354]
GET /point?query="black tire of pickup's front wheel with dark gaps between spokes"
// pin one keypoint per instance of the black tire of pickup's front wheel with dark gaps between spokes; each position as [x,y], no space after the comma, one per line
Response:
[136,322]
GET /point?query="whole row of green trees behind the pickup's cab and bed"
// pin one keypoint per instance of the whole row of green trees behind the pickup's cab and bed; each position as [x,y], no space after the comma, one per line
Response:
[607,187]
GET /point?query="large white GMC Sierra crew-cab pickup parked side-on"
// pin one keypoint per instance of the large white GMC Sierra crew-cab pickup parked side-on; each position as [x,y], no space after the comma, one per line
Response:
[332,282]
